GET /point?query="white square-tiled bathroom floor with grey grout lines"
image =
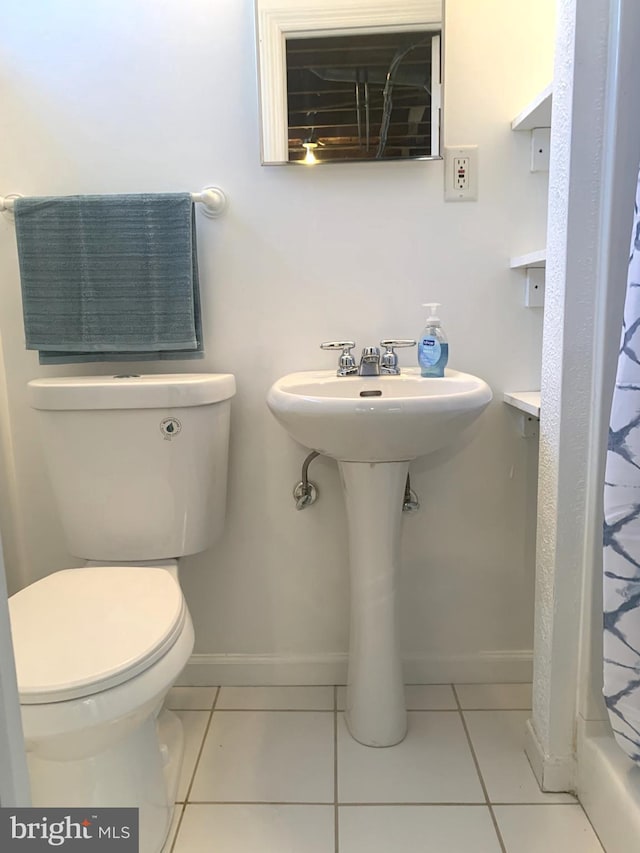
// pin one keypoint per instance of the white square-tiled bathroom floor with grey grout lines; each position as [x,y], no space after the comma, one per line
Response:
[274,770]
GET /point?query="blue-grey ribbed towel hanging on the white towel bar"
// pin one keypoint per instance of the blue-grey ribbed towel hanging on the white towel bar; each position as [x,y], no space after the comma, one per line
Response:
[109,278]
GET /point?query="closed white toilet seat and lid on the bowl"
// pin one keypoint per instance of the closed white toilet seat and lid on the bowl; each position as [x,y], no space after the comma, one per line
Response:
[81,631]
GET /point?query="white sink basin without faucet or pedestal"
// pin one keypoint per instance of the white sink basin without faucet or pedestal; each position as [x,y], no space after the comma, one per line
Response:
[376,418]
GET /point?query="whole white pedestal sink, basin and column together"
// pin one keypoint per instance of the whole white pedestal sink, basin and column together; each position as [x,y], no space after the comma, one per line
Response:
[374,426]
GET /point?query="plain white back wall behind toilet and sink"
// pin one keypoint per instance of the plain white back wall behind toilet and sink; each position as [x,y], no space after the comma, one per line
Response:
[154,96]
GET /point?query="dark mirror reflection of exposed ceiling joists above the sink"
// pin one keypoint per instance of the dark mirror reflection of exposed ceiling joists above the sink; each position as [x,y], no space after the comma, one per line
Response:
[362,97]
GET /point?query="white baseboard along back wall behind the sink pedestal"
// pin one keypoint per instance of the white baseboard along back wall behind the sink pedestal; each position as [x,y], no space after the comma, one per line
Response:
[331,668]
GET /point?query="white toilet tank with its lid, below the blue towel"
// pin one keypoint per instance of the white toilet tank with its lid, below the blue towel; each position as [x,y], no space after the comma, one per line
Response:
[138,464]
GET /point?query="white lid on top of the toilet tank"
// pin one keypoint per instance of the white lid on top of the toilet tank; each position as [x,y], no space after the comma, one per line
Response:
[131,391]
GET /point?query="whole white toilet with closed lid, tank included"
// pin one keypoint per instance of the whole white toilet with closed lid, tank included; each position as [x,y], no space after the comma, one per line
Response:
[138,466]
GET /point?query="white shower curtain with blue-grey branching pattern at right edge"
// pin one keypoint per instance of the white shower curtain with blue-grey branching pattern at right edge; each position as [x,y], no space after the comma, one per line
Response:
[622,524]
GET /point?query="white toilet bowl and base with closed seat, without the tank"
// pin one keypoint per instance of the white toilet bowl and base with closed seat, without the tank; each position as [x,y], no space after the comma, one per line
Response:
[96,651]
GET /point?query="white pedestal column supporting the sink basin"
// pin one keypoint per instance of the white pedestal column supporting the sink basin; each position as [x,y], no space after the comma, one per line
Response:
[375,713]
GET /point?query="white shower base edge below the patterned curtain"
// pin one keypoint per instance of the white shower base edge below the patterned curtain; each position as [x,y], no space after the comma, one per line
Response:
[608,787]
